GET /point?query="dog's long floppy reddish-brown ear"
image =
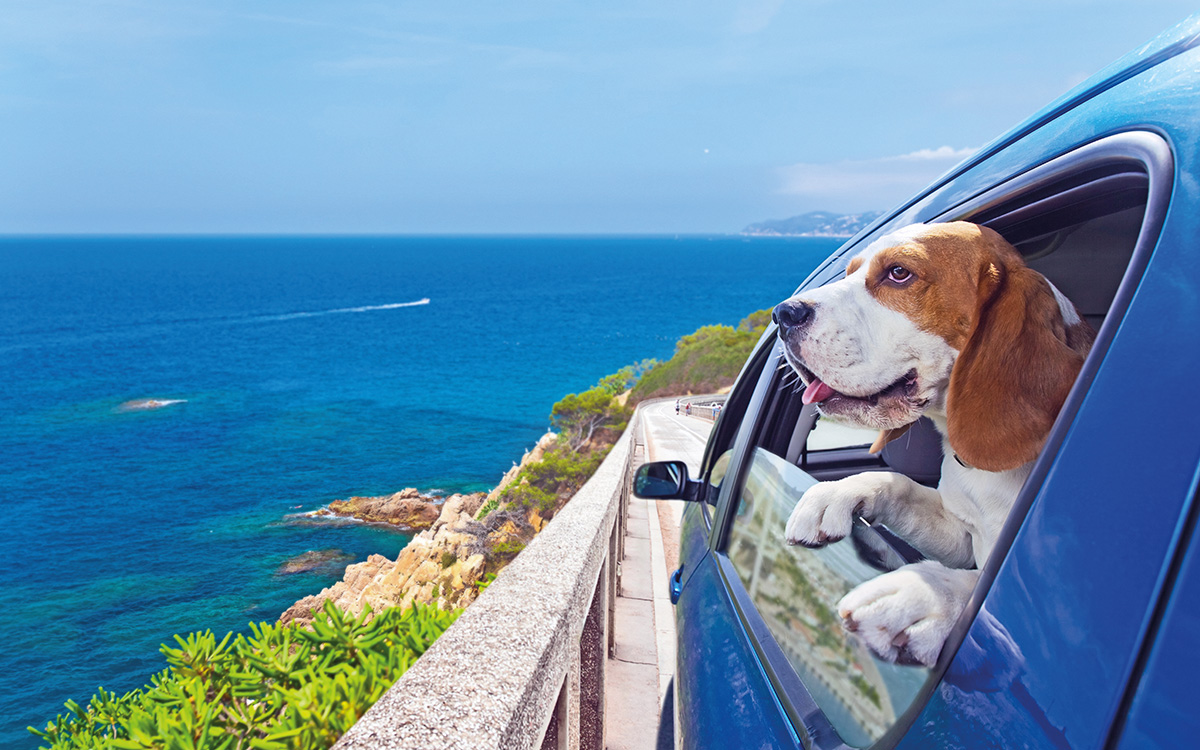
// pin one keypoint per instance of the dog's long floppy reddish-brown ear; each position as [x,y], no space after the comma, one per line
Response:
[1015,373]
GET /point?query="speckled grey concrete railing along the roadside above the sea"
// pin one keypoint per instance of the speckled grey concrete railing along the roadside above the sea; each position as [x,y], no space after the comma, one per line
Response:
[525,665]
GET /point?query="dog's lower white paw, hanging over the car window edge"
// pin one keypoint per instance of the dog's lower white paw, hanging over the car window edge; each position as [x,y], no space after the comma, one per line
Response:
[905,616]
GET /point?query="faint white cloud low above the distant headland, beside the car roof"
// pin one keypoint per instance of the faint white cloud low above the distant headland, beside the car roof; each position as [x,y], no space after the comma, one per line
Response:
[869,184]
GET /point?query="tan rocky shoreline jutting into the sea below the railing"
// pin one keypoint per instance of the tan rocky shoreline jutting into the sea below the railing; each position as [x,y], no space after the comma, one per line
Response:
[447,565]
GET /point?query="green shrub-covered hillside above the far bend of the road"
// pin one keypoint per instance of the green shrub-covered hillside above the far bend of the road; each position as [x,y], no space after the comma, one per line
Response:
[706,361]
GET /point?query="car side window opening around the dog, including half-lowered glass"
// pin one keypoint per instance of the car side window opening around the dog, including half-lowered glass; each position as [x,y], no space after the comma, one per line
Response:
[1081,232]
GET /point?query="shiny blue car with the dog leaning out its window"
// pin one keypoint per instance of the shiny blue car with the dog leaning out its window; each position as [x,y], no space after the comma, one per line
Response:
[1084,631]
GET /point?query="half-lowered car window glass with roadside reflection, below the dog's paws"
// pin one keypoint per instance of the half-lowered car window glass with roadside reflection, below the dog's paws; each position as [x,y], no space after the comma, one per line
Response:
[796,591]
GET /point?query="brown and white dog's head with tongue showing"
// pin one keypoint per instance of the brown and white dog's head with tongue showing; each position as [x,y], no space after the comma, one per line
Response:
[941,319]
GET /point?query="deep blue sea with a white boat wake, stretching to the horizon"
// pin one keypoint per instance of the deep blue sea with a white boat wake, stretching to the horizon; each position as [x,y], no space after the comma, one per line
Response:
[171,406]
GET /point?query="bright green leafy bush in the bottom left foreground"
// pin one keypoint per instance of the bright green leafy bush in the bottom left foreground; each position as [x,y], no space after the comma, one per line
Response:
[281,688]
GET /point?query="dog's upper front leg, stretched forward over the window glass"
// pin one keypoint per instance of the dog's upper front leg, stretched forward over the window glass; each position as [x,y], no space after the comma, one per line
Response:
[827,511]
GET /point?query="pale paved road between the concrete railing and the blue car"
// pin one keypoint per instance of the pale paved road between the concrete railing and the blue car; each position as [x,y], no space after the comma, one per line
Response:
[645,617]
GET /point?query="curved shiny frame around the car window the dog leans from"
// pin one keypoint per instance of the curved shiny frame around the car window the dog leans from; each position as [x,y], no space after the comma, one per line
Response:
[1145,149]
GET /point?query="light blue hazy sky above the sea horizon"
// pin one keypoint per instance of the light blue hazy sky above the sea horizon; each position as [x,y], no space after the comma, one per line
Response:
[515,117]
